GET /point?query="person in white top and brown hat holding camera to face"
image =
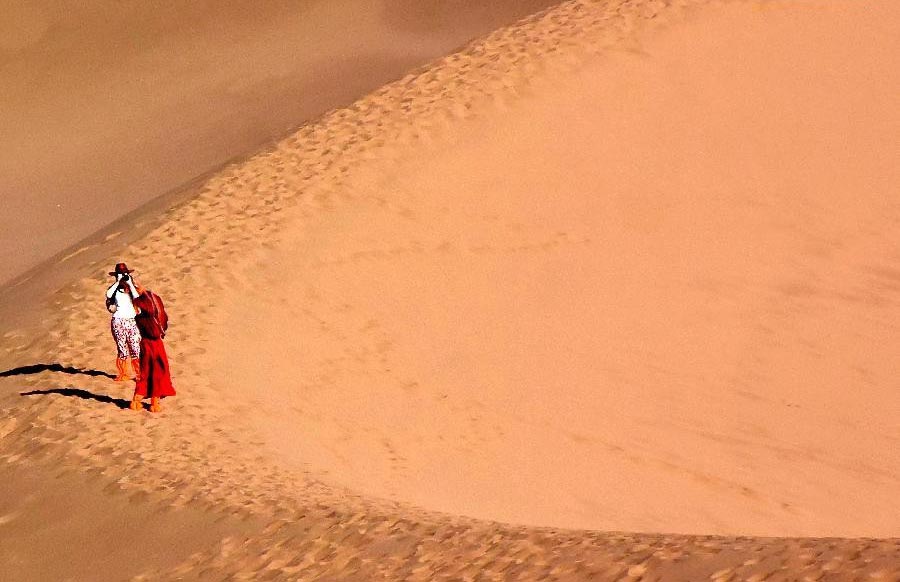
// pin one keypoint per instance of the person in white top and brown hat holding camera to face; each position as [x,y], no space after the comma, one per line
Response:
[124,329]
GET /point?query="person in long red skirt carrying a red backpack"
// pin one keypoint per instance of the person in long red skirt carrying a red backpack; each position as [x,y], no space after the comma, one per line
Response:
[155,380]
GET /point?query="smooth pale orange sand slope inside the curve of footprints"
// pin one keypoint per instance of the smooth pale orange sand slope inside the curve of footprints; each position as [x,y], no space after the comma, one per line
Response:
[670,274]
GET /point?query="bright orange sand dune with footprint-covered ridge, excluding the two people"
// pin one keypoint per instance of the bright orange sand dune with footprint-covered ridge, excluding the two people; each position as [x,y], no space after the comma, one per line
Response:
[611,293]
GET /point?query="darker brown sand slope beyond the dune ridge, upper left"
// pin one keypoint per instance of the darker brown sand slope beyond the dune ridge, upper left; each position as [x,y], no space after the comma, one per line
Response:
[107,104]
